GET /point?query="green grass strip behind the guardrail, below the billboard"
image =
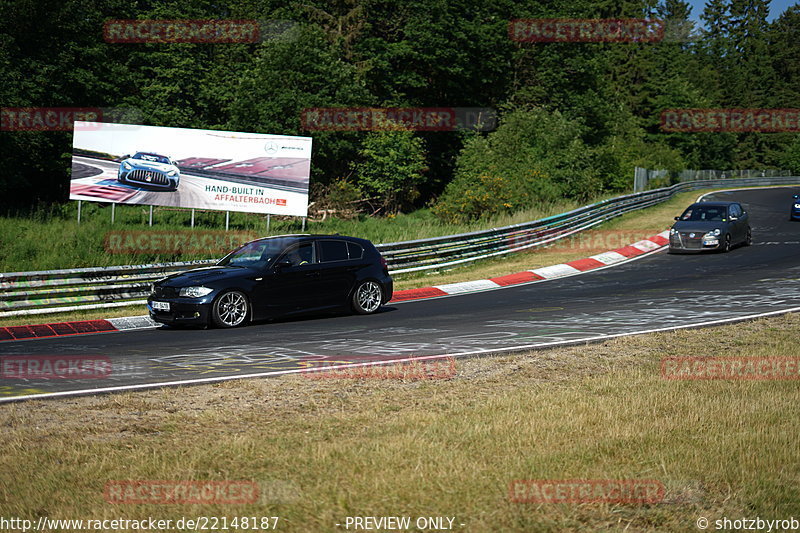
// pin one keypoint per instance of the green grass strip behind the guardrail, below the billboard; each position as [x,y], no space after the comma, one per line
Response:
[52,238]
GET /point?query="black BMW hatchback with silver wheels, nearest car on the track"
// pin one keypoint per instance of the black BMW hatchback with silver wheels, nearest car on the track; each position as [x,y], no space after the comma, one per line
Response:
[276,276]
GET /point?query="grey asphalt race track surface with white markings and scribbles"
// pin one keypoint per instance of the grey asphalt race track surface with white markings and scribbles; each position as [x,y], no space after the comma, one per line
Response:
[658,291]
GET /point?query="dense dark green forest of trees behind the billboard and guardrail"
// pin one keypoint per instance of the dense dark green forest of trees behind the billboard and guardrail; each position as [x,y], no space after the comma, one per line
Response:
[574,118]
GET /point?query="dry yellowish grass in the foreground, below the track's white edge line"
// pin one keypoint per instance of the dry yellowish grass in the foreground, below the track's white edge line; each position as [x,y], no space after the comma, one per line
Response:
[322,450]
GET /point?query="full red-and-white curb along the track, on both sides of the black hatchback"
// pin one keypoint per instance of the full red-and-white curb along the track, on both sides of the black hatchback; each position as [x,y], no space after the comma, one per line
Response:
[571,268]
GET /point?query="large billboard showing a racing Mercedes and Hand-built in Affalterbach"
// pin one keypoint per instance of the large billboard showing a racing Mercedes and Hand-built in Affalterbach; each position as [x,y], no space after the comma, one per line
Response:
[192,168]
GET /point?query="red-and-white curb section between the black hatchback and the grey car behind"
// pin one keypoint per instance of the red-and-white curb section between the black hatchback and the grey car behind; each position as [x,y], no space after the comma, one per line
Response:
[571,268]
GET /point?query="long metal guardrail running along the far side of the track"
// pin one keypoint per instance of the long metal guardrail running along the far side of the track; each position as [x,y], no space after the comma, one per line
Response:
[25,293]
